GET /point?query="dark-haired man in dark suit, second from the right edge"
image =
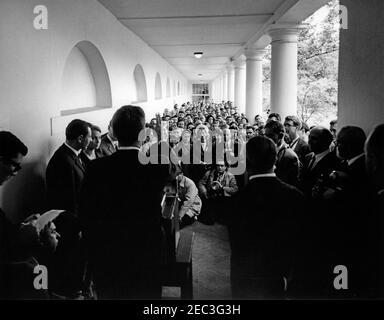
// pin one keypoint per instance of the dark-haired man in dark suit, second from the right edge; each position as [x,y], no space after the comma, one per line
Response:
[346,195]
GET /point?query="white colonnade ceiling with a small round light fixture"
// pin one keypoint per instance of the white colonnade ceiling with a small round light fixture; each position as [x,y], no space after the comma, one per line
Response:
[221,29]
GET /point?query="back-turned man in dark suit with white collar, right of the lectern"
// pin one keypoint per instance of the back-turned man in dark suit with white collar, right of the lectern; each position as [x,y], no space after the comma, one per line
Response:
[263,233]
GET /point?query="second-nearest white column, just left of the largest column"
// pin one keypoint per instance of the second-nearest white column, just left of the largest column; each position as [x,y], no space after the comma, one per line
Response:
[254,83]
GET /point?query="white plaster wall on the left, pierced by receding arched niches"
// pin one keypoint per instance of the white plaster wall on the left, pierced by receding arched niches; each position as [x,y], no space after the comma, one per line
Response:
[31,68]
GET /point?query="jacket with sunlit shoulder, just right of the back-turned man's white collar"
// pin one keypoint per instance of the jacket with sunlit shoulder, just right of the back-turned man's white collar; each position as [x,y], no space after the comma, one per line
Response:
[287,166]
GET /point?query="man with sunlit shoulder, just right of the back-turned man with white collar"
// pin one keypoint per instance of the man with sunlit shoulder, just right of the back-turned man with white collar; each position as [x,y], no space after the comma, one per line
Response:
[287,163]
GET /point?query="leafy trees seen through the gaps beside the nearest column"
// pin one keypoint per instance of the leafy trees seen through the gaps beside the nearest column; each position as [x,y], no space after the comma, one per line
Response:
[318,49]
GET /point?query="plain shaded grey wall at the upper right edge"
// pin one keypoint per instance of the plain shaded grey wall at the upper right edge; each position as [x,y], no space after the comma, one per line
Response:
[361,65]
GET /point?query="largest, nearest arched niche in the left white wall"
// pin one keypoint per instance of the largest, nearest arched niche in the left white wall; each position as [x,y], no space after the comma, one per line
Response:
[85,84]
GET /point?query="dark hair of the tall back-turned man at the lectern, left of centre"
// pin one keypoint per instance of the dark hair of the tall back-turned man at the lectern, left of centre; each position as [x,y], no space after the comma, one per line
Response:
[127,122]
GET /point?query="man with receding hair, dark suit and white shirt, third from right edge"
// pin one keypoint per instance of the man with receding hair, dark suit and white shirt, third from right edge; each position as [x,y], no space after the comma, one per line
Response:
[319,163]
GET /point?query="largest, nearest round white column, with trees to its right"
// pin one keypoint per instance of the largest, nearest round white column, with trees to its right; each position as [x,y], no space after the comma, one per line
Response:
[284,70]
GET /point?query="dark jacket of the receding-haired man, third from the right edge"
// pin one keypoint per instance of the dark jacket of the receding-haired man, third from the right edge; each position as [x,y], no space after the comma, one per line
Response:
[310,176]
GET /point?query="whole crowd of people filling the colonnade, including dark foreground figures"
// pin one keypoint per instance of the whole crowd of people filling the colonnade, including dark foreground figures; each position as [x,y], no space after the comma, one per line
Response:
[307,202]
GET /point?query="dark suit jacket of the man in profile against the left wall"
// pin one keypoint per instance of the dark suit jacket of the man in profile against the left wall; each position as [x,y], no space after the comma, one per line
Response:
[64,175]
